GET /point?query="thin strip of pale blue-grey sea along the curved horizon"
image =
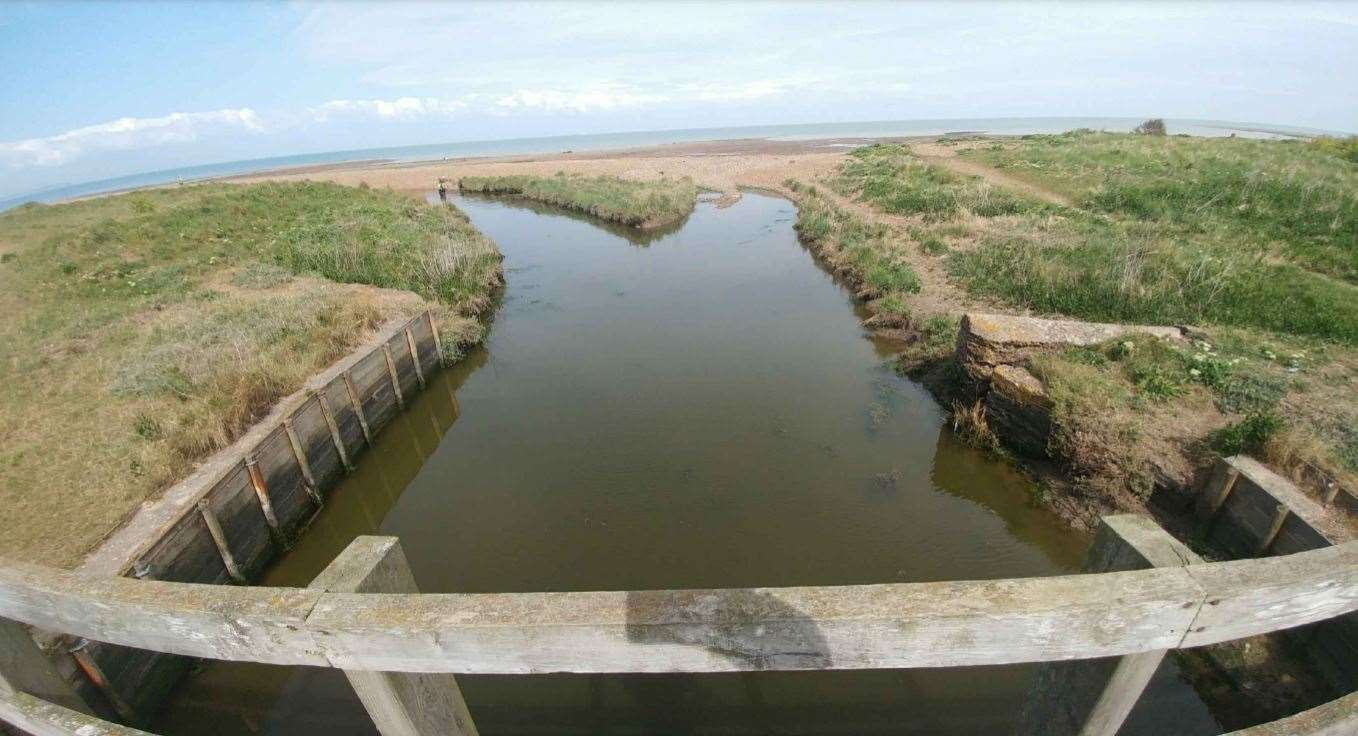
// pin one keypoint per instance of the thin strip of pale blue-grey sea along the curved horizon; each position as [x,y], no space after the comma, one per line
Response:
[604,142]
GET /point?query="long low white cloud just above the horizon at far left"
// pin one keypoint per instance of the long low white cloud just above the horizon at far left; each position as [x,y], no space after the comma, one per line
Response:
[124,134]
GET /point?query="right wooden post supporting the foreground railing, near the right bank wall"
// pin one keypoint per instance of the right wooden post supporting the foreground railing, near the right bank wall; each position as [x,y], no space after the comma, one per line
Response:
[1095,697]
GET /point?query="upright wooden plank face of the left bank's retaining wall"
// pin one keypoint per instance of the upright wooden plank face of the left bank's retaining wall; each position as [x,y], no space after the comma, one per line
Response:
[127,684]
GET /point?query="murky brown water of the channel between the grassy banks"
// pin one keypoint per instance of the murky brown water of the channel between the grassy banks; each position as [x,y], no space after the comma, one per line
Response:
[700,409]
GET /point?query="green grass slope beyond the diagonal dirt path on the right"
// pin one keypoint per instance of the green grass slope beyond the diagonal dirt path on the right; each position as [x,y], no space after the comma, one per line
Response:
[1280,199]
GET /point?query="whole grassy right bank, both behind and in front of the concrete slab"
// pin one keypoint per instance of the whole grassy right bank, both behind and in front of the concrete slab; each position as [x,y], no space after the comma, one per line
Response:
[1251,242]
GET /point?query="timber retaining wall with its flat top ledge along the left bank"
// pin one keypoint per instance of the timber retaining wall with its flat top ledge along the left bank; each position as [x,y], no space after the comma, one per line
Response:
[246,506]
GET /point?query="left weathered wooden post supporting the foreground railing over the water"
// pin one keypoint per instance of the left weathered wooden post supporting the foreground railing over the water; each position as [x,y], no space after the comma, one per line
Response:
[401,704]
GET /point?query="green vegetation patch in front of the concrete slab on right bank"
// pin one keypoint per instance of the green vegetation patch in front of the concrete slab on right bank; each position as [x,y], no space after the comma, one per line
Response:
[1284,400]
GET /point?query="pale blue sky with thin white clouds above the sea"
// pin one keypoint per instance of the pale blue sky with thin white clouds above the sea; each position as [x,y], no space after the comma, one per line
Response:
[97,90]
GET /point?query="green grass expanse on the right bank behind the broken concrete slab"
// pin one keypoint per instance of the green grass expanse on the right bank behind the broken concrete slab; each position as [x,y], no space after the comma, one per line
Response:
[1166,230]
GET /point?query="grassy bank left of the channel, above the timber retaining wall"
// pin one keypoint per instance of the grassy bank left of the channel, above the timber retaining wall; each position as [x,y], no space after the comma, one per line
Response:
[149,331]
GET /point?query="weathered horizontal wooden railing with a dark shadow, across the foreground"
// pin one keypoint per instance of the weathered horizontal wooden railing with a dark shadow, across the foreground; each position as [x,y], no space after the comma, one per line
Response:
[362,616]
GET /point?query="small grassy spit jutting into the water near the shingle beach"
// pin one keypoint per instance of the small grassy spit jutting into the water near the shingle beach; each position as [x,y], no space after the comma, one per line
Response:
[653,204]
